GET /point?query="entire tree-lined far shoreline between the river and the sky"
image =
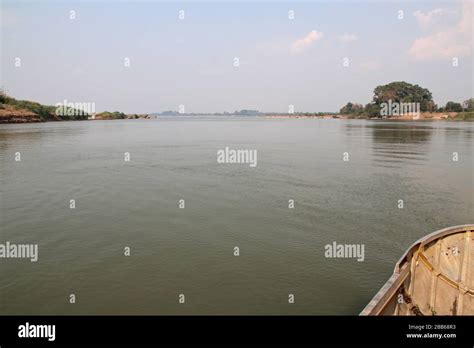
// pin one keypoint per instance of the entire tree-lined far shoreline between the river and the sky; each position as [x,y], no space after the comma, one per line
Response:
[397,101]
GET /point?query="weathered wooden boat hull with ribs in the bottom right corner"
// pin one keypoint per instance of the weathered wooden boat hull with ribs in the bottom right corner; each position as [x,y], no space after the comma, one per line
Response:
[434,277]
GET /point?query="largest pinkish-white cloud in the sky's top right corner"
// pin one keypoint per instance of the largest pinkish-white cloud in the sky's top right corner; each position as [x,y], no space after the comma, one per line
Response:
[452,42]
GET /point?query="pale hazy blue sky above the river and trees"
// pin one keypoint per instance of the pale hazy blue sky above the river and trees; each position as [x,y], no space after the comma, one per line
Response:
[190,61]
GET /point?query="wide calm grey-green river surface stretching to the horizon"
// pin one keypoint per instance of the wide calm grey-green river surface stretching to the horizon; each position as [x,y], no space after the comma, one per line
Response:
[190,251]
